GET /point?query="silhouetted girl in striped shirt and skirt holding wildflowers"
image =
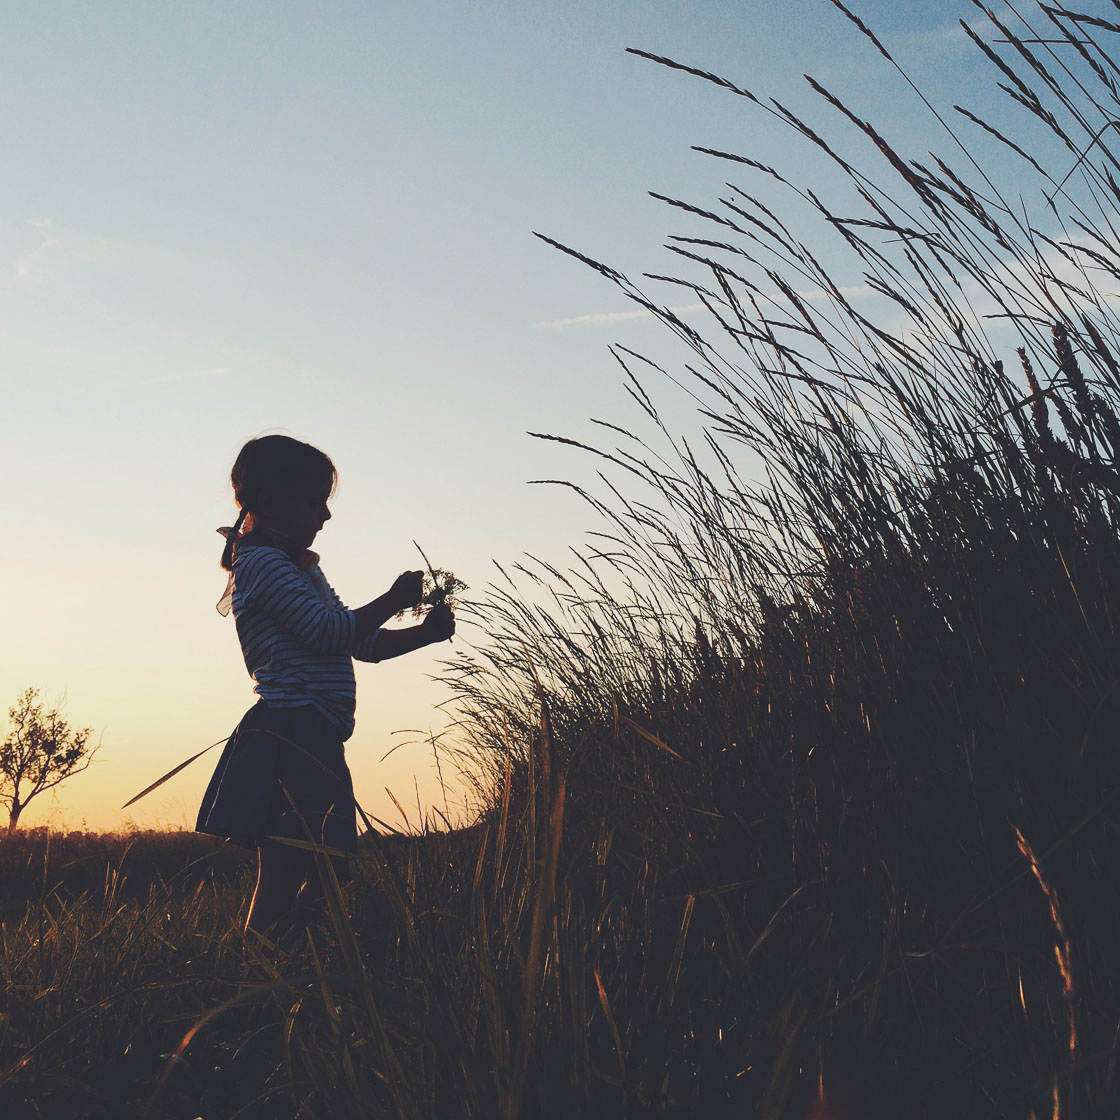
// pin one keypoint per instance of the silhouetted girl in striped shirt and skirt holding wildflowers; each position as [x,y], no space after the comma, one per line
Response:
[284,772]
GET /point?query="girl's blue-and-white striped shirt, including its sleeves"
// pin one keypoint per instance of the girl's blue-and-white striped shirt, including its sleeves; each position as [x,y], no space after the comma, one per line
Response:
[297,638]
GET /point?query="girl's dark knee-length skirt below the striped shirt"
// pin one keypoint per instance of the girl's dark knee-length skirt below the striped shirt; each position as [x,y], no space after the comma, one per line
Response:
[283,774]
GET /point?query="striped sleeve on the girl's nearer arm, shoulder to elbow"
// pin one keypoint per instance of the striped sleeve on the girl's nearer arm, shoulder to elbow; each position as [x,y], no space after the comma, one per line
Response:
[269,581]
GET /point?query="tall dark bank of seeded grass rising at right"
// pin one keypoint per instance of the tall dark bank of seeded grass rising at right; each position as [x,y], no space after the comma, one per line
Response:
[820,669]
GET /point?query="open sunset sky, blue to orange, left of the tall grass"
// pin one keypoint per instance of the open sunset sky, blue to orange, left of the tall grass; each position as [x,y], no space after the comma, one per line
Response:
[225,220]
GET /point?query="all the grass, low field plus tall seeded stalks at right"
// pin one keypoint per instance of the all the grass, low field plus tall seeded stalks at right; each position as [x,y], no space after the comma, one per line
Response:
[801,778]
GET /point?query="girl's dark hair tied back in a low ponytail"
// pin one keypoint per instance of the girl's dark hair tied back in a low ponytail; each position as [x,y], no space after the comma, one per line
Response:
[270,474]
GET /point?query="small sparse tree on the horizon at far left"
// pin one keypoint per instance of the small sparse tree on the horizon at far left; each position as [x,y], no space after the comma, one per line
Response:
[41,751]
